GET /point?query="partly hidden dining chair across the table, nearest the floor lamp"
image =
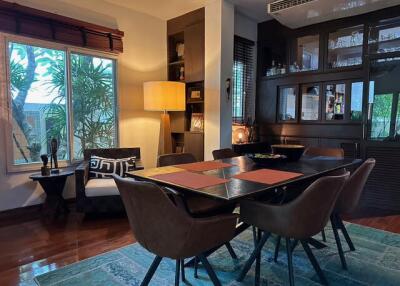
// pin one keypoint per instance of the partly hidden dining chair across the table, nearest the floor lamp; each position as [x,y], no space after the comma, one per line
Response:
[198,206]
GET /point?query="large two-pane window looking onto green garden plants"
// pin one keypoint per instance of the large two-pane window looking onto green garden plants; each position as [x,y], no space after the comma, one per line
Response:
[44,108]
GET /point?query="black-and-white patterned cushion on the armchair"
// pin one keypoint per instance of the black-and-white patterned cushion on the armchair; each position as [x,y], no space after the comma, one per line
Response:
[107,167]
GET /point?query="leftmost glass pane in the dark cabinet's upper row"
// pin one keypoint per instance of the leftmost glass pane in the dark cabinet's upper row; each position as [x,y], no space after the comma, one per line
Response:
[305,54]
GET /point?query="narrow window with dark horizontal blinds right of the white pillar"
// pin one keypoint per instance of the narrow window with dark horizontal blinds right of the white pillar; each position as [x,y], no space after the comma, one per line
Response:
[243,79]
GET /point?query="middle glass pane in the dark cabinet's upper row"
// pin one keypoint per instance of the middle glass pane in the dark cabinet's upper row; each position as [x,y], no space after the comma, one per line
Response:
[345,47]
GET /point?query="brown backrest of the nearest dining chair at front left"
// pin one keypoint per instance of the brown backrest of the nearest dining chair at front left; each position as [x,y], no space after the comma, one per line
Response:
[158,225]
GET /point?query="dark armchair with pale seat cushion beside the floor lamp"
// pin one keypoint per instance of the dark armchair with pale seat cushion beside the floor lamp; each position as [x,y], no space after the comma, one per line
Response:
[94,195]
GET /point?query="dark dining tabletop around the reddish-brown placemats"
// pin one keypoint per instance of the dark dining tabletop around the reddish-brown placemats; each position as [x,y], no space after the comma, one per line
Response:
[237,189]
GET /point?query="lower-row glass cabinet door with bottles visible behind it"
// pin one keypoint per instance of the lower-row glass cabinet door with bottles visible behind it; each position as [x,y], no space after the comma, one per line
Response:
[335,101]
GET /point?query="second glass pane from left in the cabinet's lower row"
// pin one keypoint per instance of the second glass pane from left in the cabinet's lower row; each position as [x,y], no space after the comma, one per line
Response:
[310,98]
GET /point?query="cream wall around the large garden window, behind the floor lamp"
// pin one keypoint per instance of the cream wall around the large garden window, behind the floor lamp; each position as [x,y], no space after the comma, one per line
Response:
[144,59]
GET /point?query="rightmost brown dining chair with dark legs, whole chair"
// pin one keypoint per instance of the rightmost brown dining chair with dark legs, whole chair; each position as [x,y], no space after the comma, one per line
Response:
[347,202]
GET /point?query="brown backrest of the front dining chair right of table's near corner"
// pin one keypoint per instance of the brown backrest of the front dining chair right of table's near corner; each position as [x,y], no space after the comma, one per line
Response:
[310,212]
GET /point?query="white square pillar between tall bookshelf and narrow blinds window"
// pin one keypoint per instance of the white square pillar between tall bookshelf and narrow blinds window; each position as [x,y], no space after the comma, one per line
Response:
[219,31]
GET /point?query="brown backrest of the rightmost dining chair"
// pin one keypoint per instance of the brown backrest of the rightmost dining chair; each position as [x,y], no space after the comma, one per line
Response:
[351,193]
